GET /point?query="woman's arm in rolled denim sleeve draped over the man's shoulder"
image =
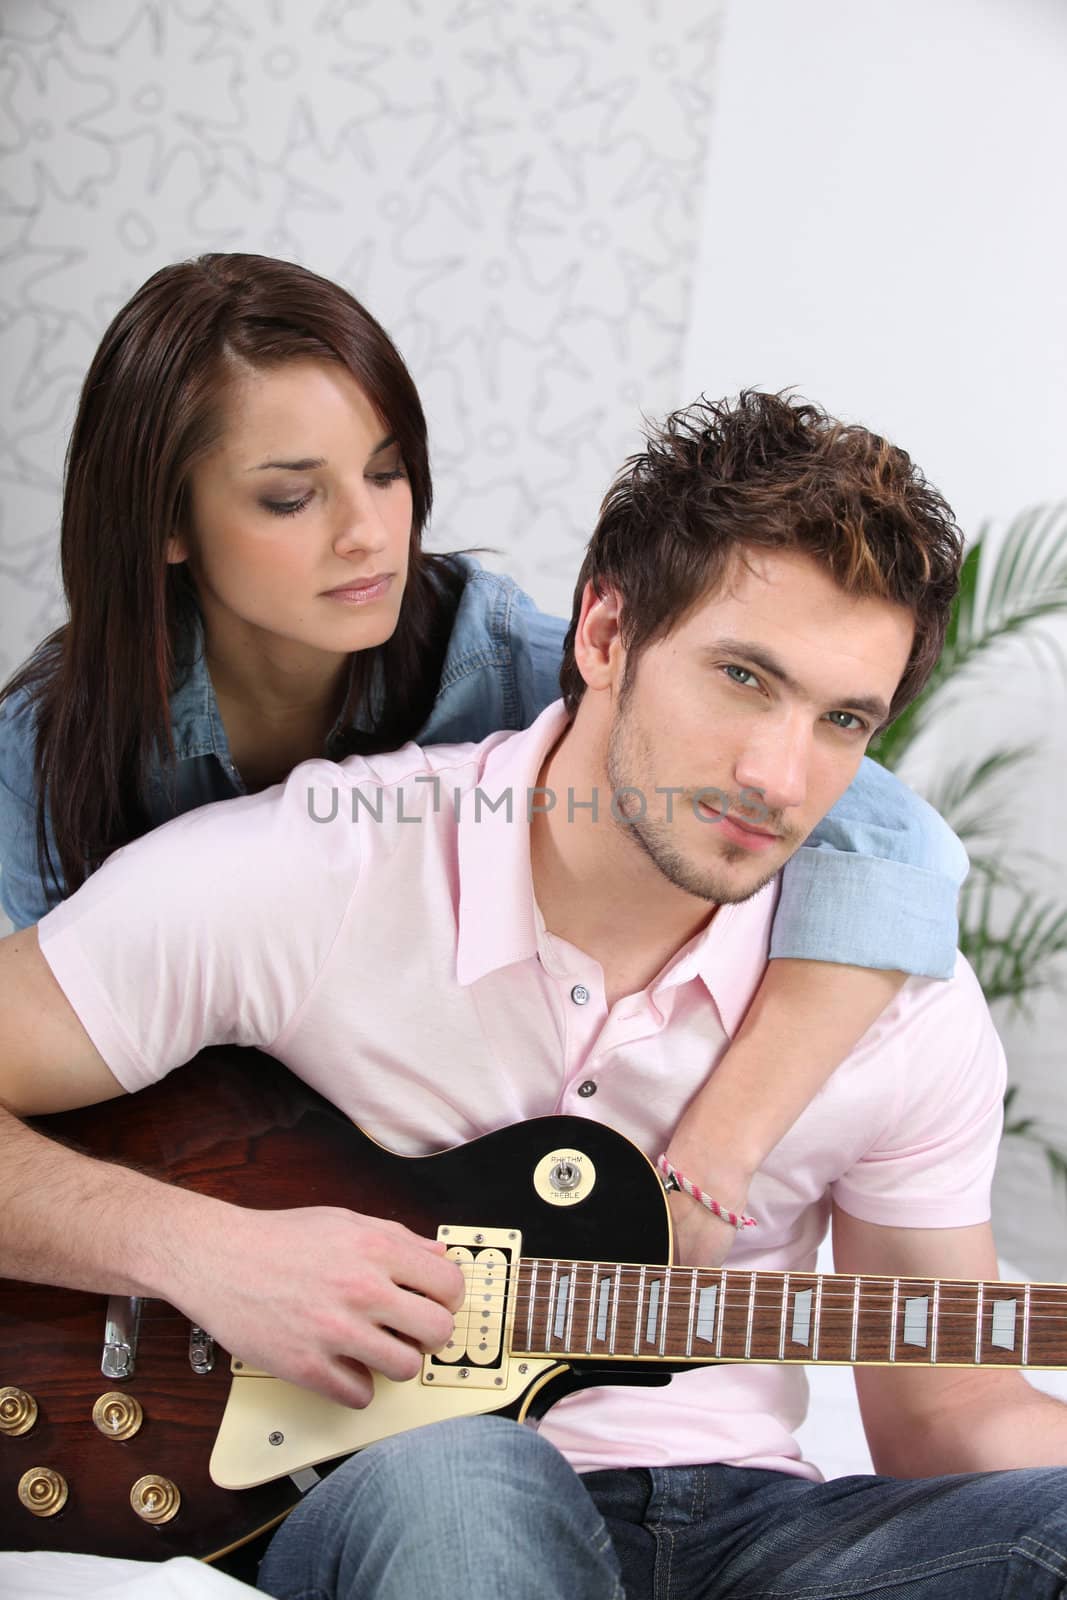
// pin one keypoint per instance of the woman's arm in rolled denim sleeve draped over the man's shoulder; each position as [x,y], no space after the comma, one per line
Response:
[868,902]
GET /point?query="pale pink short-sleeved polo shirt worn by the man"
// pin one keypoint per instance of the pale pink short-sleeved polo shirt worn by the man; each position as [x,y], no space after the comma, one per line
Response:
[374,926]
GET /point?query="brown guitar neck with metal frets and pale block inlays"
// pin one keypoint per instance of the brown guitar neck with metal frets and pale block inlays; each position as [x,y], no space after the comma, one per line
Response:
[596,1310]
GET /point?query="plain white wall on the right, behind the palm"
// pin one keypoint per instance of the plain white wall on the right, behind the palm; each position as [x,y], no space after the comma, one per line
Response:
[885,230]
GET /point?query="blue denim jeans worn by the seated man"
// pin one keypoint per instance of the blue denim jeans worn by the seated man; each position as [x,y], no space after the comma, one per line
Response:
[484,1510]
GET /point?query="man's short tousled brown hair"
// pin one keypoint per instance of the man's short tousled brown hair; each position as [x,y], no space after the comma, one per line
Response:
[769,473]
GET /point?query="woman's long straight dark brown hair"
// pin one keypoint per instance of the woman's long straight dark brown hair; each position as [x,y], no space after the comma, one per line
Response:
[150,410]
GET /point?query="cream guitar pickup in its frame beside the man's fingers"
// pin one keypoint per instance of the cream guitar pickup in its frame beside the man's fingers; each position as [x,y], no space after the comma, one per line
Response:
[476,1358]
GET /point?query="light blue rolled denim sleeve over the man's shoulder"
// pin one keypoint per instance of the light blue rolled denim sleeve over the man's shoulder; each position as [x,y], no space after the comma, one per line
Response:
[876,884]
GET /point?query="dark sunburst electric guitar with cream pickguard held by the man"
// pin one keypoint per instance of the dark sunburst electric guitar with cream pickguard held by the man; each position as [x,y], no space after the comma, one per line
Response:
[126,1431]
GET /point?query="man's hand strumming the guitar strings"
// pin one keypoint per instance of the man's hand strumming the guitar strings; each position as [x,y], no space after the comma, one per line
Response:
[324,1297]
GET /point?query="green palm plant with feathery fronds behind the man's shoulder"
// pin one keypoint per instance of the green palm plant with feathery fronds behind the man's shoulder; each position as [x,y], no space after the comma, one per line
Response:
[1012,929]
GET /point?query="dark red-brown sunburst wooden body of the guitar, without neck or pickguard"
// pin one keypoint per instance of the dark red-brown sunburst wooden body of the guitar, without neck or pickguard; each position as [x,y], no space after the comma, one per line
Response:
[241,1127]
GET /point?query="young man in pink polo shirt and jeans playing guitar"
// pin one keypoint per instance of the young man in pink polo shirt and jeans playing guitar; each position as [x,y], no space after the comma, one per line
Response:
[593,897]
